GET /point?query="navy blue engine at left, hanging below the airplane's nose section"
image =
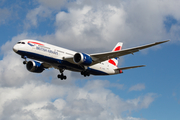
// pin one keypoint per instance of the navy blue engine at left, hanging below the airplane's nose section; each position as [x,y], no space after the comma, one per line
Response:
[34,66]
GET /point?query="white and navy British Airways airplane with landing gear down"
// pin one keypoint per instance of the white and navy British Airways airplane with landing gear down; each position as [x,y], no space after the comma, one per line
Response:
[46,56]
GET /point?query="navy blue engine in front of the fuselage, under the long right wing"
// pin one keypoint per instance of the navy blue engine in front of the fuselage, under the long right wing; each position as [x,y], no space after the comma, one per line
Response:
[81,58]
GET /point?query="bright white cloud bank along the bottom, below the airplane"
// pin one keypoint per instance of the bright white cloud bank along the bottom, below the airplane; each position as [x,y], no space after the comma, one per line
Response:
[36,101]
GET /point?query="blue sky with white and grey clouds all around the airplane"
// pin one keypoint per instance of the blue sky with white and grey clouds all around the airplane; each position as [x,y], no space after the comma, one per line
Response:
[149,93]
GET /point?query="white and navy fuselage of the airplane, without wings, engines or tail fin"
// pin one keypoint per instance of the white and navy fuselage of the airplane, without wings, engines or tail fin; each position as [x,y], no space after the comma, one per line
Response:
[55,56]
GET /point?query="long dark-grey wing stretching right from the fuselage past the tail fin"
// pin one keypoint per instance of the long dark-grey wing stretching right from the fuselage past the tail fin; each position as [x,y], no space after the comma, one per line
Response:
[100,57]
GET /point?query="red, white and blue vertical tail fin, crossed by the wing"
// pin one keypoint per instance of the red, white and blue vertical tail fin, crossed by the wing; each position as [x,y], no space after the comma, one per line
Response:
[118,47]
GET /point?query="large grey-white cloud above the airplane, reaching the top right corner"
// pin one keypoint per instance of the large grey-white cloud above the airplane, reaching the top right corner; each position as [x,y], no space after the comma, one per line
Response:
[98,27]
